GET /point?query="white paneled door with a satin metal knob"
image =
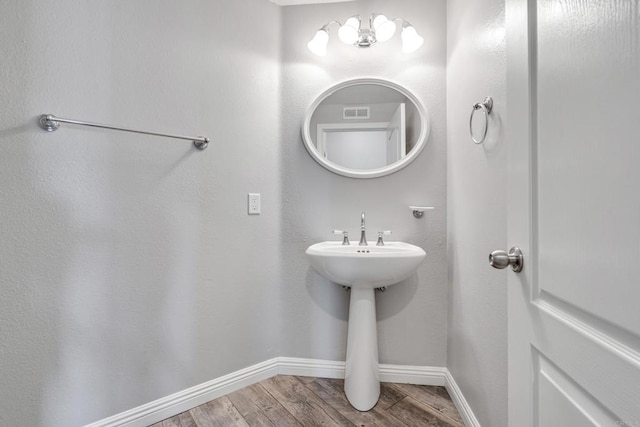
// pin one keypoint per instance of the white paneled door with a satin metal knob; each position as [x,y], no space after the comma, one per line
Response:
[573,131]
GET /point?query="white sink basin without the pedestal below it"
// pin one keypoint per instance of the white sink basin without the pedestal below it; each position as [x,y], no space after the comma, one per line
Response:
[365,266]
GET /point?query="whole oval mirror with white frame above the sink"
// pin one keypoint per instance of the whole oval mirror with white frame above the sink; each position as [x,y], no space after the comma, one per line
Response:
[365,128]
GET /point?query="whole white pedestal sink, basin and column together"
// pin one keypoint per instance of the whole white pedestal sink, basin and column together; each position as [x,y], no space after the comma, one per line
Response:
[363,269]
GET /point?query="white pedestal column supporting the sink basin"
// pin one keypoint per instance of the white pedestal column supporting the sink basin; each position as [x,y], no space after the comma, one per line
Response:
[362,374]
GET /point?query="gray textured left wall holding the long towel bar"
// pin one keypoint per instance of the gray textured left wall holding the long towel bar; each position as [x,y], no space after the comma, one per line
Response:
[129,268]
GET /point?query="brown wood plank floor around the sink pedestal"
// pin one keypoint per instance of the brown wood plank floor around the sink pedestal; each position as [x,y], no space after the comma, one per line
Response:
[304,401]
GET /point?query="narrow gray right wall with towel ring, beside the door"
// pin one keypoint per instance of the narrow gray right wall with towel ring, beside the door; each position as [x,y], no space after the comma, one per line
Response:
[476,199]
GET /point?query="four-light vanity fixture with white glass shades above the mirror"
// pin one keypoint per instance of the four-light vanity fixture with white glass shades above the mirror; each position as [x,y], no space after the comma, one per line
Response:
[380,29]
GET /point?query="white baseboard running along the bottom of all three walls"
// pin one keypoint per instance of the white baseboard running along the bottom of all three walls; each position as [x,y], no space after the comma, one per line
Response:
[177,403]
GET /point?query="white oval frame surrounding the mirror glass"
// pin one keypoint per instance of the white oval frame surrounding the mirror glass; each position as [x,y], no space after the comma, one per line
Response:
[420,142]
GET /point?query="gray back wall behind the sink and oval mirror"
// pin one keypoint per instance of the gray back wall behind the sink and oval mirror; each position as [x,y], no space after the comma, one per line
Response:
[411,316]
